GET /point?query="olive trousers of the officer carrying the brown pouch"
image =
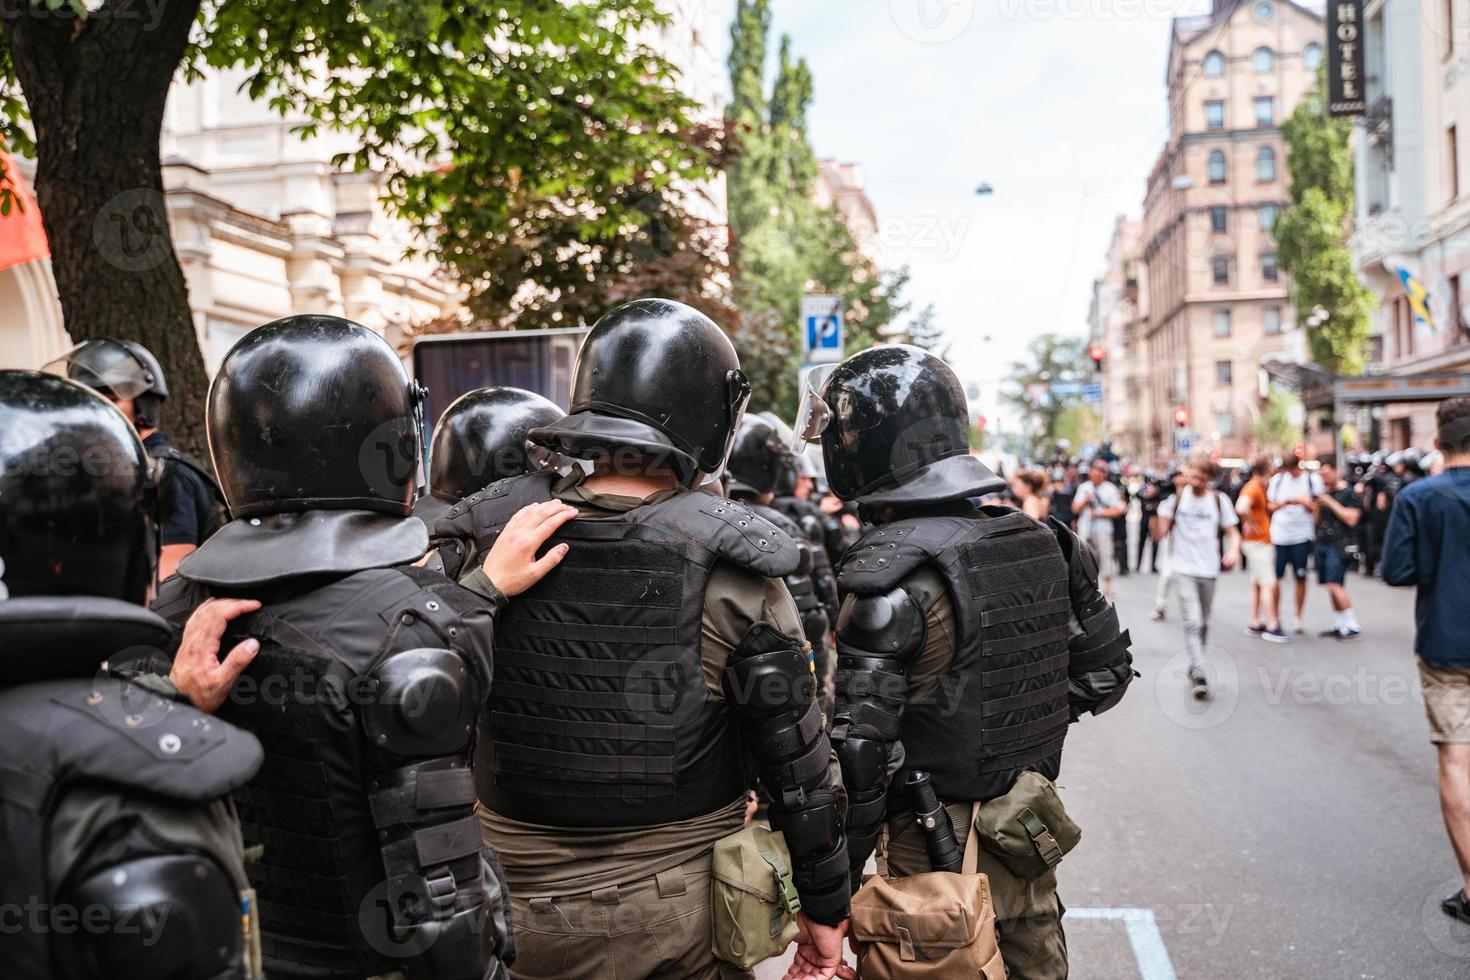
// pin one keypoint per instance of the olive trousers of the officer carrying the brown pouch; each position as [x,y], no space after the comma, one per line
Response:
[1028,915]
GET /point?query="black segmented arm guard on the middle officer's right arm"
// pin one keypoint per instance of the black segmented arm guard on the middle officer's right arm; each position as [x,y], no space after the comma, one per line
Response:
[771,685]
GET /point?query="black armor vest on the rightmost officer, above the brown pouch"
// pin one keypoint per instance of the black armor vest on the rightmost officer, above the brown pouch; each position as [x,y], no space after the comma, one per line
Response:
[1002,709]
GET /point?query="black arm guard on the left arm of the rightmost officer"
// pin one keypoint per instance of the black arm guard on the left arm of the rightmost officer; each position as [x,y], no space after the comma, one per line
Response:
[877,637]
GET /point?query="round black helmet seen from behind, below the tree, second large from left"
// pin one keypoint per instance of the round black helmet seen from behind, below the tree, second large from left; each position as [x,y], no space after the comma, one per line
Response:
[315,414]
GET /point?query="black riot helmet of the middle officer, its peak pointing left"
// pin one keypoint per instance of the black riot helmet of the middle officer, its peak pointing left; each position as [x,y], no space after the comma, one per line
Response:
[659,380]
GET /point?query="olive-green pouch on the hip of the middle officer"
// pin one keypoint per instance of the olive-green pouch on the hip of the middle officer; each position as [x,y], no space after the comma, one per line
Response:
[753,898]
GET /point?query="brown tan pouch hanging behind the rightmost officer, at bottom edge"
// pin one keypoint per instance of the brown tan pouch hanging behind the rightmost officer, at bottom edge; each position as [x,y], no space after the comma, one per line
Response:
[936,925]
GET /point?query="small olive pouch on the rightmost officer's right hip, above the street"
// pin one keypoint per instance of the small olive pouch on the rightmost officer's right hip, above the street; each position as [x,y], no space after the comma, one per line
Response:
[1028,829]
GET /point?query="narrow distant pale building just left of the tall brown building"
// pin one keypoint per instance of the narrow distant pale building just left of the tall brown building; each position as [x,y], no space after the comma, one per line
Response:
[1119,324]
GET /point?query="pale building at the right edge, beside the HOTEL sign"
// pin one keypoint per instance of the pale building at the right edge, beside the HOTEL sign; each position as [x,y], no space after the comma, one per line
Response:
[1413,195]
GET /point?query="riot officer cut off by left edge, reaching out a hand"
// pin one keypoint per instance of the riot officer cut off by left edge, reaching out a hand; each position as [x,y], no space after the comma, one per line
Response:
[114,799]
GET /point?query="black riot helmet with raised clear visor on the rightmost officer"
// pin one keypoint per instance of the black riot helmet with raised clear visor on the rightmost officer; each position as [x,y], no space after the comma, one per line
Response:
[899,431]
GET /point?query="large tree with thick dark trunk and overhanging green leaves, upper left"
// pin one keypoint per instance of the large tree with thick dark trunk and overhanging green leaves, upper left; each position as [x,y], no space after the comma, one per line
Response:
[470,114]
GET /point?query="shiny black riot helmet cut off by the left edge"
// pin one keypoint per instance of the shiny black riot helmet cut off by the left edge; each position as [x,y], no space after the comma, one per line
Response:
[77,505]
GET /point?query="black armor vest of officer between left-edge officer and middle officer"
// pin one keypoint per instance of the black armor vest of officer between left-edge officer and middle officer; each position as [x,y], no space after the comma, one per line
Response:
[324,812]
